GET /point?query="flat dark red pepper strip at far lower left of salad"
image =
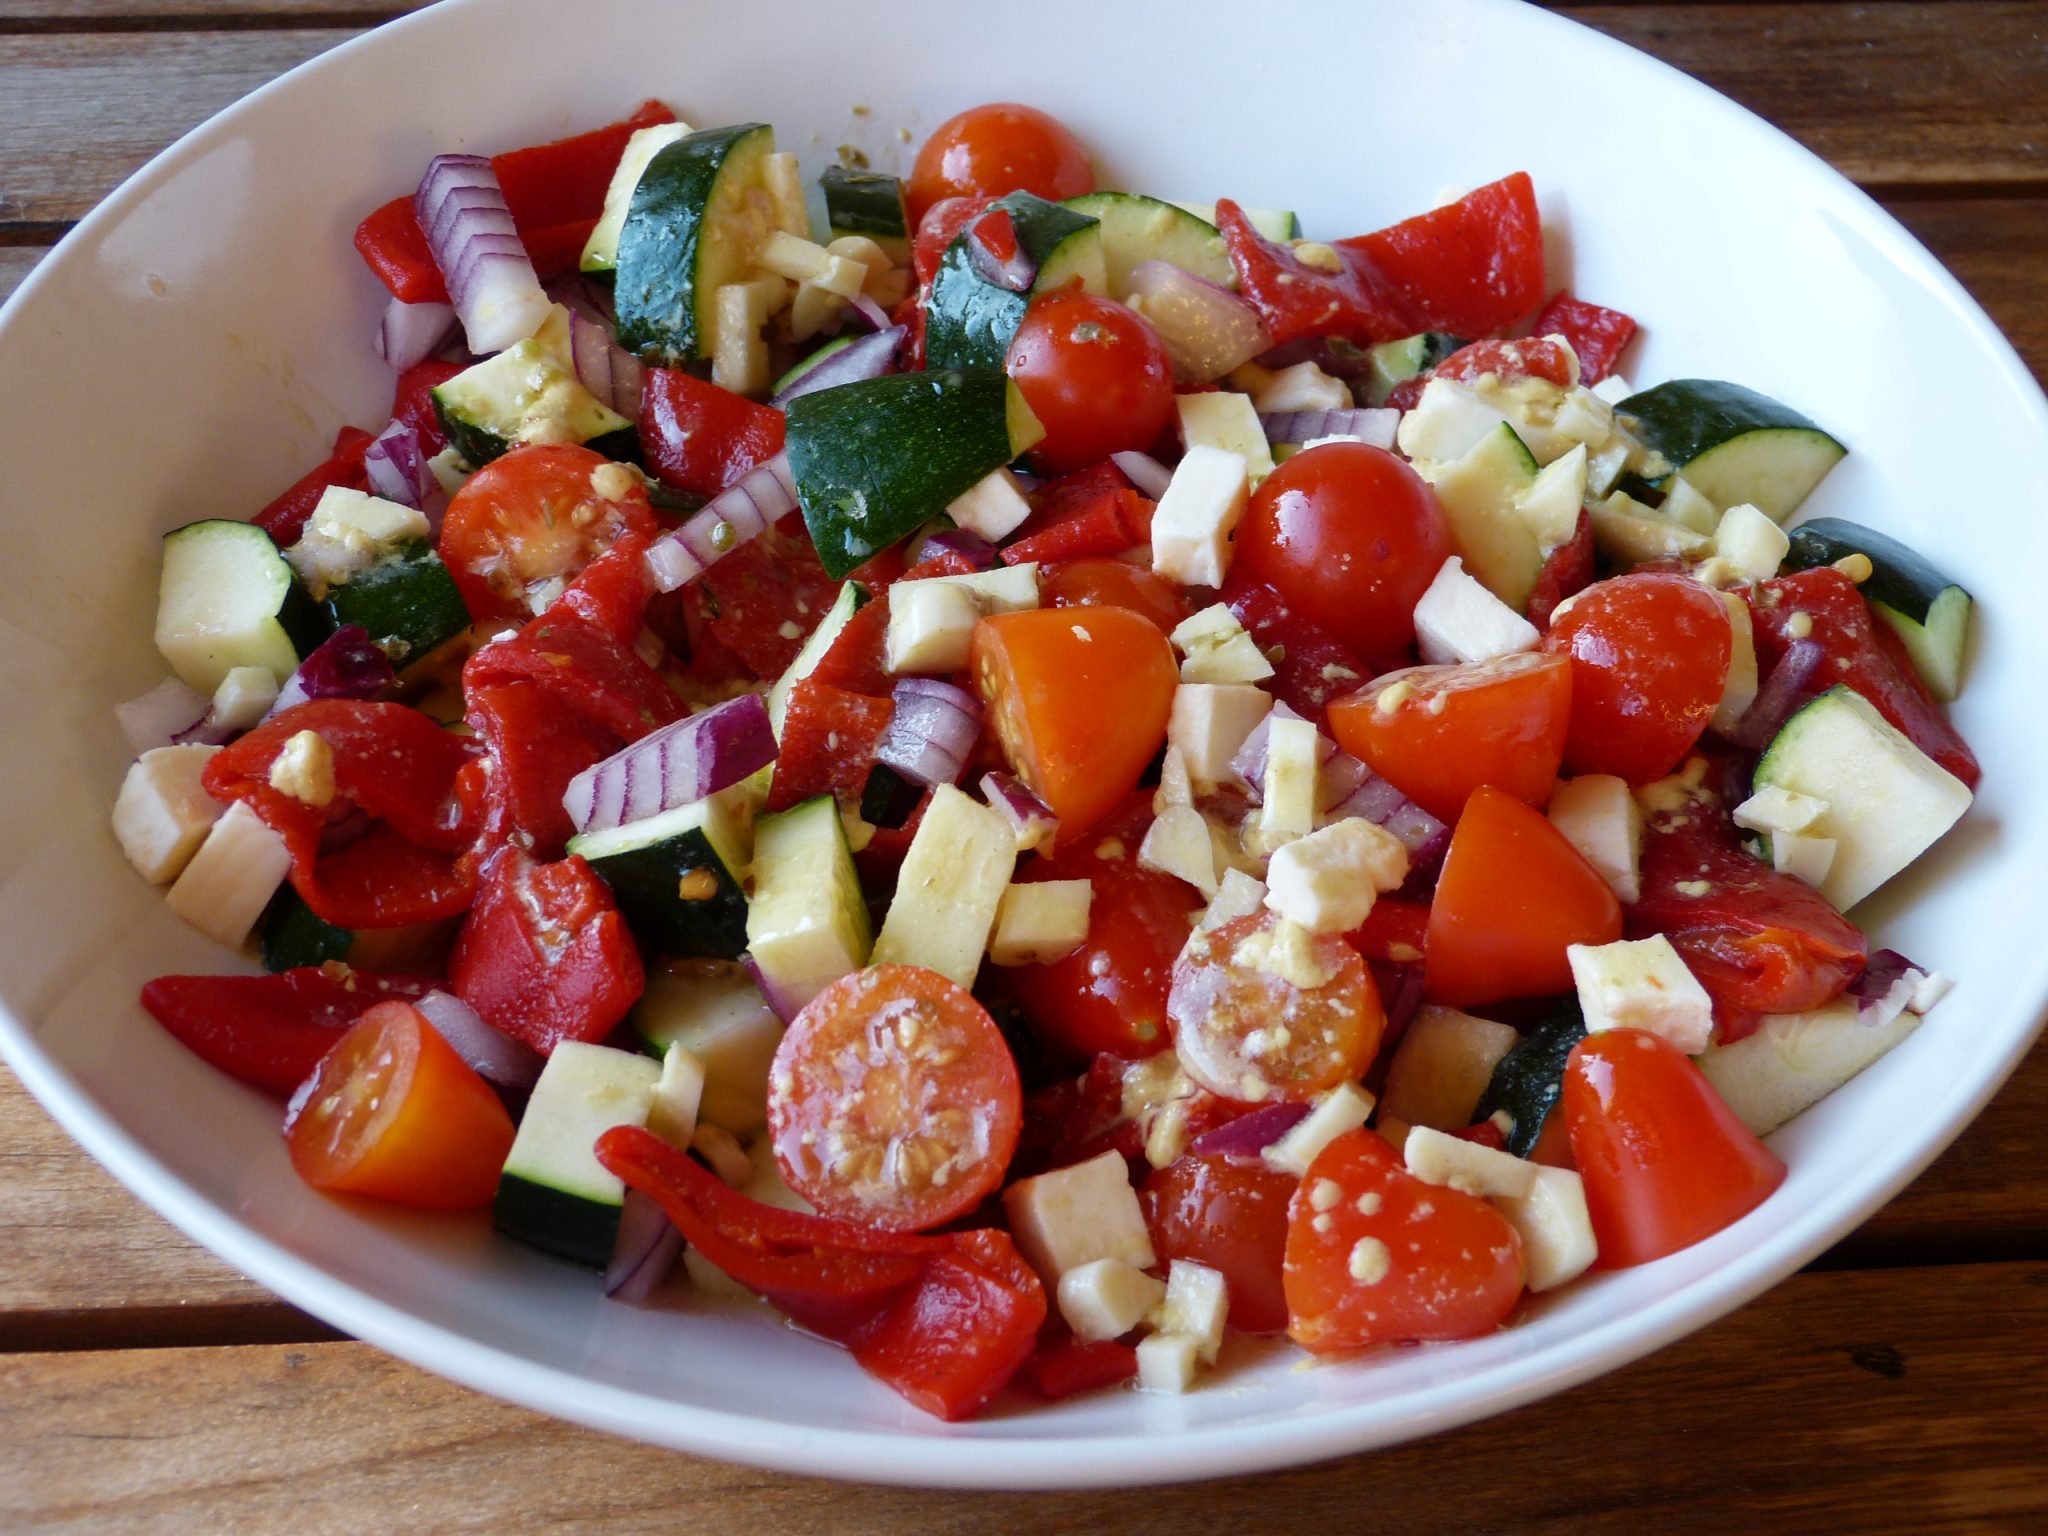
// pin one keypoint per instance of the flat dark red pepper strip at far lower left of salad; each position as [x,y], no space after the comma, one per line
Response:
[271,1031]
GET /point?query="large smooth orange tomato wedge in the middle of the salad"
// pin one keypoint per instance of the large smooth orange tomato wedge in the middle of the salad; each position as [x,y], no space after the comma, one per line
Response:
[1078,699]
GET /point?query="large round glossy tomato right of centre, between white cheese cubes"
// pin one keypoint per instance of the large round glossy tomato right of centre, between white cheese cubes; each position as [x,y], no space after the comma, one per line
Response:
[1351,538]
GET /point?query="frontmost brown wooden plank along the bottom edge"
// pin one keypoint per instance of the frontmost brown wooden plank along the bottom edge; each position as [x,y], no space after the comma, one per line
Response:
[1846,1404]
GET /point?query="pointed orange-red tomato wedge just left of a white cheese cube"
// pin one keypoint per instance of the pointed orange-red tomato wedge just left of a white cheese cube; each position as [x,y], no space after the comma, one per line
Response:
[1508,904]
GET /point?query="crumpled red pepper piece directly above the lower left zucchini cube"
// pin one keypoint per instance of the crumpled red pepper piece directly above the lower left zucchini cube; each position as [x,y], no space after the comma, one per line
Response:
[546,955]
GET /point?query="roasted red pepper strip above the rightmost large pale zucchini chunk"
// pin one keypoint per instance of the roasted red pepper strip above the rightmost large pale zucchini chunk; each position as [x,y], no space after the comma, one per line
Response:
[1861,652]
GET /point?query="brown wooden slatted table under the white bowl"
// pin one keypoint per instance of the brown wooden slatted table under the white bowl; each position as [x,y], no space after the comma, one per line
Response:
[1900,1383]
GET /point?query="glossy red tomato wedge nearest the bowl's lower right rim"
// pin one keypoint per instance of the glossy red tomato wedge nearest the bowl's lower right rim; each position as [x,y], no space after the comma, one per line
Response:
[1664,1158]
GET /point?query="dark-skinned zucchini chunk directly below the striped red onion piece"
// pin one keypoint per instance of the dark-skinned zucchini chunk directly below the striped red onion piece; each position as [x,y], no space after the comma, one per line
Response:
[677,878]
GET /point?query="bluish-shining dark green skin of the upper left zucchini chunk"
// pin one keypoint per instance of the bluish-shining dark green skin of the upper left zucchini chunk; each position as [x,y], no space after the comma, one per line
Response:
[663,312]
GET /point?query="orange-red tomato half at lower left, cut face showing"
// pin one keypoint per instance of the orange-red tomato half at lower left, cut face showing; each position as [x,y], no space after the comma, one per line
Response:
[396,1115]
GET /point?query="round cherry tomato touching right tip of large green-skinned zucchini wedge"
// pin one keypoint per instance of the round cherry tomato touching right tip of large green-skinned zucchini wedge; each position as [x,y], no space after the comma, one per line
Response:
[1095,374]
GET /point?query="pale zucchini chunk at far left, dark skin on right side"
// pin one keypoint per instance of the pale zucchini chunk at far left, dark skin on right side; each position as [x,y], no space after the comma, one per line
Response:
[228,599]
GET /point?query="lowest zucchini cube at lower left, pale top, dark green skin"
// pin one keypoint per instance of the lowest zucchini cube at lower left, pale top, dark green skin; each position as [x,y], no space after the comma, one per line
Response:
[554,1191]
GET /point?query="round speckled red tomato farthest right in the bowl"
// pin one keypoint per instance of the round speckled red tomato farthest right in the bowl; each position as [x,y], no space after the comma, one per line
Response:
[1650,658]
